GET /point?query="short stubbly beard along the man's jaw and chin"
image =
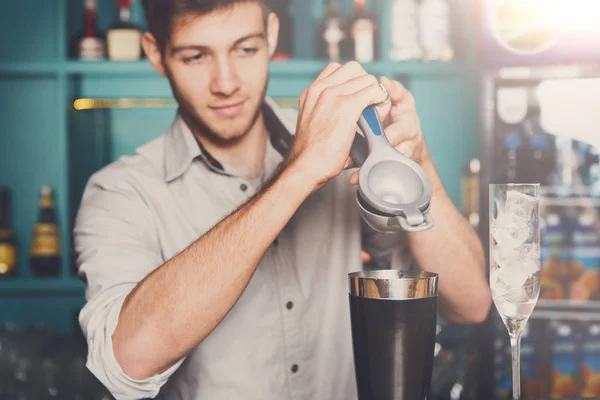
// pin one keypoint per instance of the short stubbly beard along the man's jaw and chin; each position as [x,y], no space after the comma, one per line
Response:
[200,126]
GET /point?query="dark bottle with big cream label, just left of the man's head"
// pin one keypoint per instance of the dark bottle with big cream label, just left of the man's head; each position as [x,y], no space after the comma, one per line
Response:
[124,39]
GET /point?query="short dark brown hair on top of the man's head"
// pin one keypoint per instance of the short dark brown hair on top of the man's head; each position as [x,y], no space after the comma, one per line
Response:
[160,14]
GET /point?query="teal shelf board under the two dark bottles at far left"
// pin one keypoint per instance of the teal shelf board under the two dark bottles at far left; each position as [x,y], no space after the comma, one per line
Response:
[41,286]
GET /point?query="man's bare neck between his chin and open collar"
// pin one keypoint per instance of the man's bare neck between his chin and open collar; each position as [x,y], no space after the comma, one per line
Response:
[246,155]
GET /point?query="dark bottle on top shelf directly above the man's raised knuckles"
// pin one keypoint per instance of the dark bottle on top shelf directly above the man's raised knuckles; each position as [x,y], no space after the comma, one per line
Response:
[333,34]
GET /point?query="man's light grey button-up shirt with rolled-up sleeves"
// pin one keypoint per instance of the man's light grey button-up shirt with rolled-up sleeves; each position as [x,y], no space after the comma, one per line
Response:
[288,336]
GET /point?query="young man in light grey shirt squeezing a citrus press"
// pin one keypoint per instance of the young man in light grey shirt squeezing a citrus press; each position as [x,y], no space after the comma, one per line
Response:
[216,258]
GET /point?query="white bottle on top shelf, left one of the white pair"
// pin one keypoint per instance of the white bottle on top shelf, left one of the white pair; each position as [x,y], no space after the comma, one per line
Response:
[405,31]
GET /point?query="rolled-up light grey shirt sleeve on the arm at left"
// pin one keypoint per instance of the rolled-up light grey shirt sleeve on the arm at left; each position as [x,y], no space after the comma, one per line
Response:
[117,245]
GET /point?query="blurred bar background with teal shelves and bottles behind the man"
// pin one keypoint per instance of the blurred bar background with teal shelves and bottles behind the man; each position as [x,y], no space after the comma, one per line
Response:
[506,90]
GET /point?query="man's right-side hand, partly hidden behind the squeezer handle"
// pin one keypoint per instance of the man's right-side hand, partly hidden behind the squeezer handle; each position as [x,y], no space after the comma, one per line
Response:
[401,124]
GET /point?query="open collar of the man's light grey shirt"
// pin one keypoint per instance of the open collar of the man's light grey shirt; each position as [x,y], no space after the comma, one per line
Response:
[182,148]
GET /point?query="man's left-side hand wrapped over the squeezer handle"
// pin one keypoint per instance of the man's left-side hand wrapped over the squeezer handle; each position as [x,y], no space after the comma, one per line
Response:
[329,111]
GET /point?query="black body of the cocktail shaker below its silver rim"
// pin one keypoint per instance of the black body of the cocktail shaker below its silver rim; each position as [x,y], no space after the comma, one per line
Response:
[393,344]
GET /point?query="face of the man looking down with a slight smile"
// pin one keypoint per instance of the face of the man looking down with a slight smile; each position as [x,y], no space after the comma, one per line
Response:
[218,68]
